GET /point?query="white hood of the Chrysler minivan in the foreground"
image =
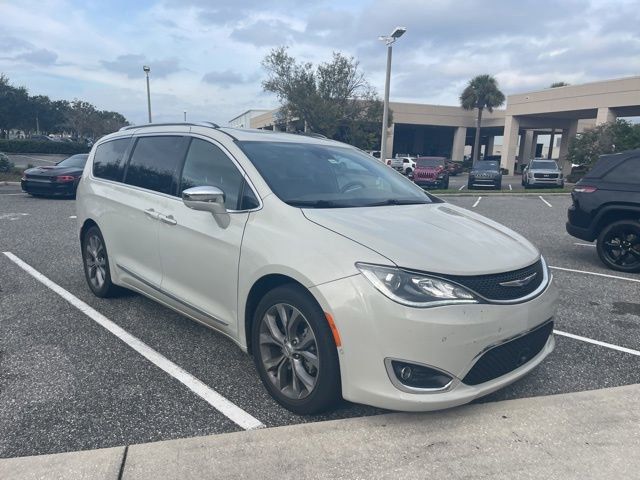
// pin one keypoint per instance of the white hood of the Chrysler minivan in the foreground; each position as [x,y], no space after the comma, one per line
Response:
[437,238]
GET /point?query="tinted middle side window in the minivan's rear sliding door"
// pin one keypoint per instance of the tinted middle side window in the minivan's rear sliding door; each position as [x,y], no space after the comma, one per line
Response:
[154,162]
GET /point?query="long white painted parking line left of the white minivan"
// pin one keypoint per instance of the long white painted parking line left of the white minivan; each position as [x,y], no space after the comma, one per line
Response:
[213,398]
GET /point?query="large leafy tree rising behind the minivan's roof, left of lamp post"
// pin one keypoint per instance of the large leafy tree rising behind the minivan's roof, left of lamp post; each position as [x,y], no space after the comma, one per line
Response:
[333,99]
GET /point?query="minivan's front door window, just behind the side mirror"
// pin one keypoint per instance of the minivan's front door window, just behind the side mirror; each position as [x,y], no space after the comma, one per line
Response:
[206,164]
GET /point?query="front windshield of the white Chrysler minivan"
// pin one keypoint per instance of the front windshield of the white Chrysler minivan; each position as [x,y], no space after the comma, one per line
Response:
[328,176]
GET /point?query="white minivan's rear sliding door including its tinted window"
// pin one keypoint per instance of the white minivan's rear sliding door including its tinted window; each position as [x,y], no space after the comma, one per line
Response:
[149,178]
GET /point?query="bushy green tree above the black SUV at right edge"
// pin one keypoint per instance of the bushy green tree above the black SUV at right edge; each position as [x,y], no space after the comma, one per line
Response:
[609,137]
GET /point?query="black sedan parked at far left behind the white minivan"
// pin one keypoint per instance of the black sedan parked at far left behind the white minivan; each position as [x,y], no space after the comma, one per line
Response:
[59,179]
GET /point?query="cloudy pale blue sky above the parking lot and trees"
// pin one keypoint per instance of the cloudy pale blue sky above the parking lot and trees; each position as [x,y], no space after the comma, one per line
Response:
[205,56]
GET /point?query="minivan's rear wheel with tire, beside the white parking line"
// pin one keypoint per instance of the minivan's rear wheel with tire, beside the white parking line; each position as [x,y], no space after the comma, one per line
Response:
[96,264]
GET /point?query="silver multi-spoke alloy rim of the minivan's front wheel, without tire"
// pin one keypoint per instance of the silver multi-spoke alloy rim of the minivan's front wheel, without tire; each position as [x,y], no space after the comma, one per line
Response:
[289,351]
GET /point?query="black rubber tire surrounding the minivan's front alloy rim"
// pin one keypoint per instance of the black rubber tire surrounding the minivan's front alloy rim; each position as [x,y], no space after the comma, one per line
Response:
[326,391]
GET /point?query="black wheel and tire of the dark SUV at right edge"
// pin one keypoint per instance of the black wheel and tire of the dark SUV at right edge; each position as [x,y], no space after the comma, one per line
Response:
[614,252]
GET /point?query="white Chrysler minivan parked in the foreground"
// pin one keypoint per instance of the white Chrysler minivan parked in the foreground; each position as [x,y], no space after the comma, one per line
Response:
[288,244]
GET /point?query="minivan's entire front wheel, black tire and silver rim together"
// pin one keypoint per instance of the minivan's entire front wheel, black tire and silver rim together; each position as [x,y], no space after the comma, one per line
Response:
[294,351]
